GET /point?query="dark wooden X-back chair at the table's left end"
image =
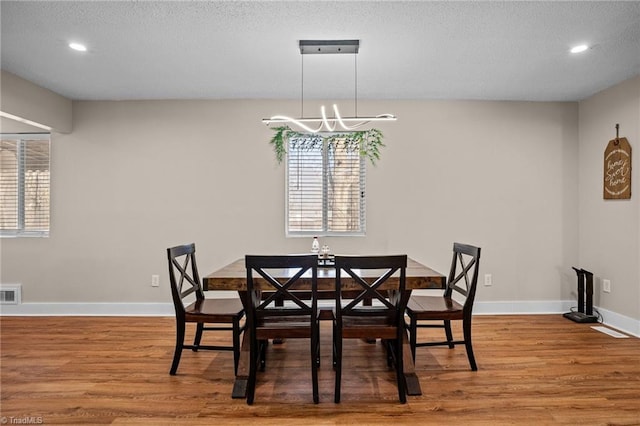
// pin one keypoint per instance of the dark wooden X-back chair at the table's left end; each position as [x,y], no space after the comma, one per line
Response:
[185,286]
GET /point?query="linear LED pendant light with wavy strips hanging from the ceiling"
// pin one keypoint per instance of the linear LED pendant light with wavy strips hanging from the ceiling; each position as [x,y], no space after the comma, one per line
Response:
[324,123]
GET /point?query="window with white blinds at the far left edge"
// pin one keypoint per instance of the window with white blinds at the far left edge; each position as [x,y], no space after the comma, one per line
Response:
[24,185]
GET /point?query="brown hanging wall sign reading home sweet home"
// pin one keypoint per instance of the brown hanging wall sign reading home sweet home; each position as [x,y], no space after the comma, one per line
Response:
[617,169]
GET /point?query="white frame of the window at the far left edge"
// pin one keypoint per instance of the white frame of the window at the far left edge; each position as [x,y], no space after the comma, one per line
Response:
[22,140]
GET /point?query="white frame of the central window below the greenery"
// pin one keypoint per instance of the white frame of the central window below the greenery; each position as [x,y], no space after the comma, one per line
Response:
[325,232]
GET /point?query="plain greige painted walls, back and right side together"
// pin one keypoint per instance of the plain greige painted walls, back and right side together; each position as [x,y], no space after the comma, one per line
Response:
[521,179]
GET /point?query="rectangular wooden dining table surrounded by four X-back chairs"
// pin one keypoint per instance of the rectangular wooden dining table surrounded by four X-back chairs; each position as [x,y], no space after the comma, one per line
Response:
[234,277]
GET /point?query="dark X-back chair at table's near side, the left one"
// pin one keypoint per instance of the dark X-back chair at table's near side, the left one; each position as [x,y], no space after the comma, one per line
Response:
[282,314]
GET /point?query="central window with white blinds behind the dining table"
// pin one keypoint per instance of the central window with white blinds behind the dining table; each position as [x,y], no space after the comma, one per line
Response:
[325,187]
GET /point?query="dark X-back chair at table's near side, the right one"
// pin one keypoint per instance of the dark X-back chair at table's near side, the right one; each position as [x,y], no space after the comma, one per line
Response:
[382,319]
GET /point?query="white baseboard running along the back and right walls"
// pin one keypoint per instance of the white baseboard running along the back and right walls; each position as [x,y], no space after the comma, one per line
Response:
[620,322]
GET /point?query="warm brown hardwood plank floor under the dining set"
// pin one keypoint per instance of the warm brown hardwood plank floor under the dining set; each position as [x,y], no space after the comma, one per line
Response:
[538,370]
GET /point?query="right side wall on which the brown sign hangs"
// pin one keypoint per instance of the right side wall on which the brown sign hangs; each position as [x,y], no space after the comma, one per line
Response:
[610,229]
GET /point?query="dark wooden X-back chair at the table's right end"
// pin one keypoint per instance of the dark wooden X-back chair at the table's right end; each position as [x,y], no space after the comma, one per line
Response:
[463,280]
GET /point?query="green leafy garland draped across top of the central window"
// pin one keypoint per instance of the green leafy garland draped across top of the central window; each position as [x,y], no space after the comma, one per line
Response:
[367,142]
